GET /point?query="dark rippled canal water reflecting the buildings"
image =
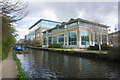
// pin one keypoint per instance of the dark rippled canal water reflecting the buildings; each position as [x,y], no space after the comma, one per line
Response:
[45,64]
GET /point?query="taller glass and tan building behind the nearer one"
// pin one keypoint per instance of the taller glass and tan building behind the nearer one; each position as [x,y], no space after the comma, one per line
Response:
[35,31]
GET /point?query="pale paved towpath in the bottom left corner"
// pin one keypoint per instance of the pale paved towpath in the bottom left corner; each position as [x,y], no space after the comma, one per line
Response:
[9,67]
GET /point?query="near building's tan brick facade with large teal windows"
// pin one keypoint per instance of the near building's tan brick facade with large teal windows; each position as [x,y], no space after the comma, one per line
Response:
[76,33]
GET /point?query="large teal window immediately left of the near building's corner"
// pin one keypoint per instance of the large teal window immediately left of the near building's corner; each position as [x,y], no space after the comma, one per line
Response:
[73,38]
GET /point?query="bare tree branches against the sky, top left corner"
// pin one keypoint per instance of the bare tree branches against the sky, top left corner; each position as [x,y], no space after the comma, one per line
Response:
[14,9]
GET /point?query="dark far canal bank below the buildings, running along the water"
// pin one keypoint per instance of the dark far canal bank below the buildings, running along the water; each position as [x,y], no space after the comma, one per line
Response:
[79,52]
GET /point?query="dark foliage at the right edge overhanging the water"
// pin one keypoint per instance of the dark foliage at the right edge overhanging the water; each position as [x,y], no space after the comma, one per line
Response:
[114,53]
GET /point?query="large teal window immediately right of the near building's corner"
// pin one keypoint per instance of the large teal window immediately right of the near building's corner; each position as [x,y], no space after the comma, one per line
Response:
[85,38]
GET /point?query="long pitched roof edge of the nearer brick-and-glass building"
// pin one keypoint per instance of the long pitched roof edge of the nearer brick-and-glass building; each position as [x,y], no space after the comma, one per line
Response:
[78,19]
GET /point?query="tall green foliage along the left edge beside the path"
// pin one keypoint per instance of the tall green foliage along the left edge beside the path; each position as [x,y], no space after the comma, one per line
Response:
[8,38]
